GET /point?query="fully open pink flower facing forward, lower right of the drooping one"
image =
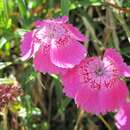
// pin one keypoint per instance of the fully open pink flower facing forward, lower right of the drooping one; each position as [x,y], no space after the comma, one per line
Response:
[96,83]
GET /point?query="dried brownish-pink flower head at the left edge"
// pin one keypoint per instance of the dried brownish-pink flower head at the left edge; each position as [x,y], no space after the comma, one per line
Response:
[8,93]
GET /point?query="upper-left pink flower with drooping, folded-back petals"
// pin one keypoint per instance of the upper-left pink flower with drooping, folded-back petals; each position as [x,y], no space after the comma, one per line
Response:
[54,44]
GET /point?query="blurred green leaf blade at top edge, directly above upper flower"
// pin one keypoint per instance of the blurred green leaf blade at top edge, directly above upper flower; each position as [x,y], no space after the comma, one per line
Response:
[65,7]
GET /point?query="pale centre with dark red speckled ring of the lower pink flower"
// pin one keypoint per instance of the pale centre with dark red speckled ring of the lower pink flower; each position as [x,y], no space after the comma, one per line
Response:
[97,74]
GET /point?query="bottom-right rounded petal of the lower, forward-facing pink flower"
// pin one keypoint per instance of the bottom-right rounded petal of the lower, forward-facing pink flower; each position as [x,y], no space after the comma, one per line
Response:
[114,97]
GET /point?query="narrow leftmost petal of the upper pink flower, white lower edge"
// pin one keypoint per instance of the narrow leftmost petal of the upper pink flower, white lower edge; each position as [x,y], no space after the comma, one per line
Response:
[26,46]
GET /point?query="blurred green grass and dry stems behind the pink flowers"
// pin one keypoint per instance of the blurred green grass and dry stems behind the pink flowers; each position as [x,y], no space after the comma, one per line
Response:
[43,106]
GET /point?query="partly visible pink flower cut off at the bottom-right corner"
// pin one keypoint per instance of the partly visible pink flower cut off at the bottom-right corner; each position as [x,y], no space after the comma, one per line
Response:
[123,117]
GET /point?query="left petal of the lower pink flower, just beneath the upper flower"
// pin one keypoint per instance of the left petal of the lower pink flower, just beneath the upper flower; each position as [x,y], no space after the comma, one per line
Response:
[70,82]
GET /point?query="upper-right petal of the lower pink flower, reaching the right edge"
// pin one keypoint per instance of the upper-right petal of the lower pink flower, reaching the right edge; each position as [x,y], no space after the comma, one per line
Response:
[113,55]
